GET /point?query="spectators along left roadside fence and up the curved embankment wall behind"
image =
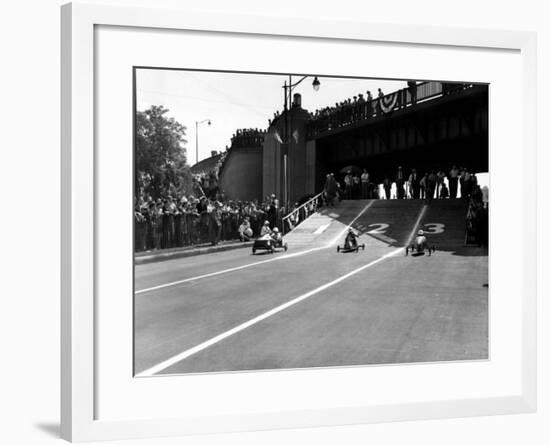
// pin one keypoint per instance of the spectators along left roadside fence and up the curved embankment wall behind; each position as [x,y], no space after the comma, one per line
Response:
[205,216]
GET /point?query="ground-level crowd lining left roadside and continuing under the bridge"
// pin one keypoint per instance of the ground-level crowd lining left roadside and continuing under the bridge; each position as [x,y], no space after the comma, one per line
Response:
[184,221]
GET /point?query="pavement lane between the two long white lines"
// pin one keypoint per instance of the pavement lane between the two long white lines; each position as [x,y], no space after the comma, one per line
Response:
[176,318]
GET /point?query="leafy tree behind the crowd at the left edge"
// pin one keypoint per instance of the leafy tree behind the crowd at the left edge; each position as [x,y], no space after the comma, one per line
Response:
[161,163]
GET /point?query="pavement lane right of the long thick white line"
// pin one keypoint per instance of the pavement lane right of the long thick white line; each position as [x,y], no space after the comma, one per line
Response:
[374,317]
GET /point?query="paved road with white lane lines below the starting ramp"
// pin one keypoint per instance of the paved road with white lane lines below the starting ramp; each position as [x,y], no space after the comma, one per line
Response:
[313,307]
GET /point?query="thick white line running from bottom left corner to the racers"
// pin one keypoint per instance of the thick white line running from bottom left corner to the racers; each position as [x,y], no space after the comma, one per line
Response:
[189,352]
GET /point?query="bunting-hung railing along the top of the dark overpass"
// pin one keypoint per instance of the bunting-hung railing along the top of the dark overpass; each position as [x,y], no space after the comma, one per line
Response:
[358,111]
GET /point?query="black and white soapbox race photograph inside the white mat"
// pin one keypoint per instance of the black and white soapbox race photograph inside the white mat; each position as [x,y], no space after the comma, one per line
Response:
[300,220]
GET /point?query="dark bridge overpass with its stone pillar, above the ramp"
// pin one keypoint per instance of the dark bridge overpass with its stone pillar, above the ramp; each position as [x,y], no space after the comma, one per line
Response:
[445,125]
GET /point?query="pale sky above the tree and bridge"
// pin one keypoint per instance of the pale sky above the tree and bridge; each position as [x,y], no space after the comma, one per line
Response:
[236,100]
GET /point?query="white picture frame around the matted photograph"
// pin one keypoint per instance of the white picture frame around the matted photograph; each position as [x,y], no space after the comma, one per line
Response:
[79,417]
